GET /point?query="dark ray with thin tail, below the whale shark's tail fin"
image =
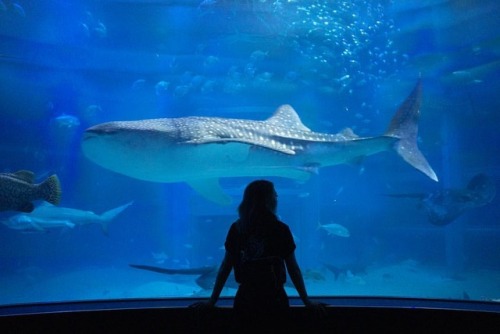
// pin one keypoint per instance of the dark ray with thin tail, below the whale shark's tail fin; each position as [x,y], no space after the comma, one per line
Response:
[444,206]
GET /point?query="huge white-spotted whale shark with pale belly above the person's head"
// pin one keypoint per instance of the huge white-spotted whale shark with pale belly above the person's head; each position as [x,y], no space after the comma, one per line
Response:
[201,150]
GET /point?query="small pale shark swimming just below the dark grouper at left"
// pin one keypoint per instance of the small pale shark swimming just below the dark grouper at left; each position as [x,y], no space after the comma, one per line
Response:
[47,216]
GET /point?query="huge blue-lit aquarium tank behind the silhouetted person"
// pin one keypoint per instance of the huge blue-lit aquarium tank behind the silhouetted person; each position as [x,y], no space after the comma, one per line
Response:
[130,129]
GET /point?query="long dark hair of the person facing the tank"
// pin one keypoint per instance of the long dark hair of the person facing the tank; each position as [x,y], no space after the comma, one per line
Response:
[257,210]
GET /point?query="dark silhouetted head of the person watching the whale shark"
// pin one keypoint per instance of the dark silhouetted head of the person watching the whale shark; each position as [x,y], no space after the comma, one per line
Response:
[259,199]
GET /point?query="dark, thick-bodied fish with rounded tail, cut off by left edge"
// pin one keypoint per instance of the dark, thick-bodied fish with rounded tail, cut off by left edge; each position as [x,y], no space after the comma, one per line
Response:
[18,190]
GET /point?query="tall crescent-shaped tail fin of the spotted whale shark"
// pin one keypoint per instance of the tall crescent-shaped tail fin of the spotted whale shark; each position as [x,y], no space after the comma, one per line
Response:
[404,126]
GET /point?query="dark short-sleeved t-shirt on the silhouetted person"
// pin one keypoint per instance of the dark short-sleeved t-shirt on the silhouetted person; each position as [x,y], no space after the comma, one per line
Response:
[252,253]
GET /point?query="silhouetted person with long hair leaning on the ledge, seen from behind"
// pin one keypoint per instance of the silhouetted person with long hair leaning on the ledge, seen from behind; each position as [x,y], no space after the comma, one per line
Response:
[260,248]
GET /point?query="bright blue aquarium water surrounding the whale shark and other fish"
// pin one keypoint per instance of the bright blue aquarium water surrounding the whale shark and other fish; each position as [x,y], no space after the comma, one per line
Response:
[65,66]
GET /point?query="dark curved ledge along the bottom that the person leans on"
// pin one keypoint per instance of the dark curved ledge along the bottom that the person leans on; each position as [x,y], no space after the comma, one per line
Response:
[172,316]
